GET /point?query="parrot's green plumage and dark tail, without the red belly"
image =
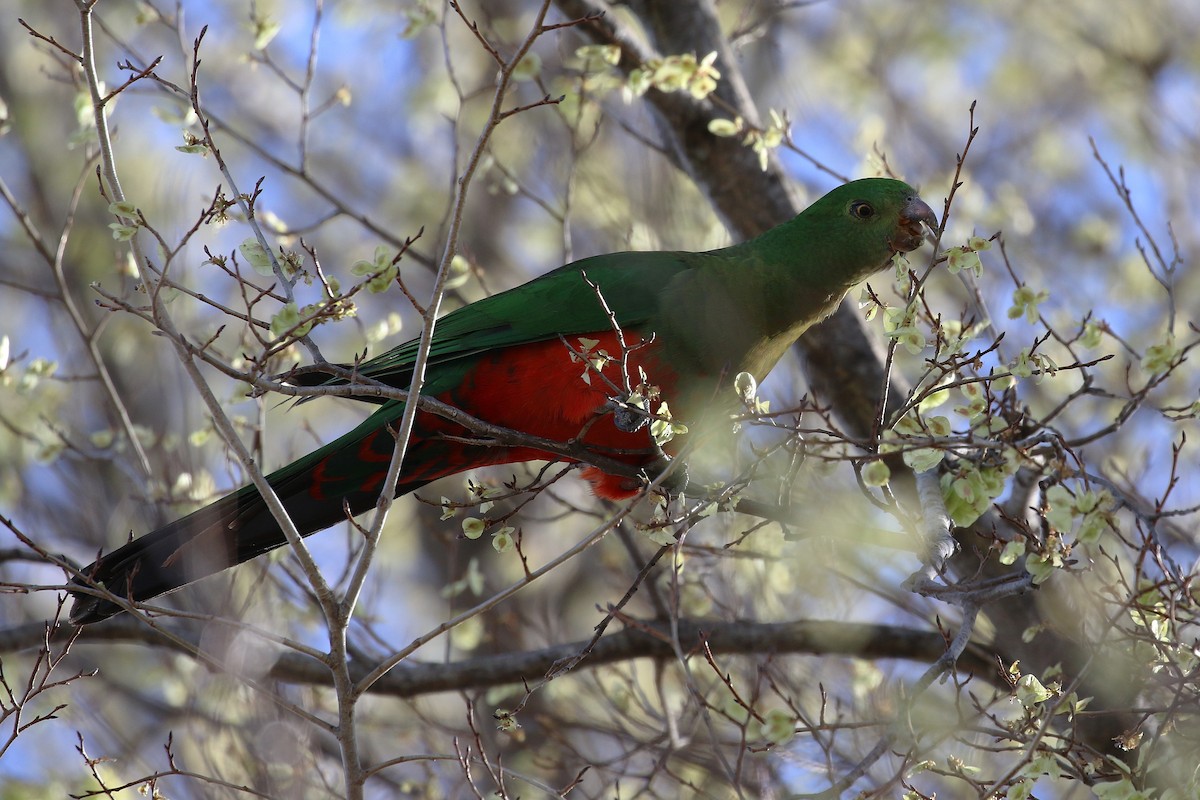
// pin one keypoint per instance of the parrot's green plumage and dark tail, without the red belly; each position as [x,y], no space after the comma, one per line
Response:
[711,315]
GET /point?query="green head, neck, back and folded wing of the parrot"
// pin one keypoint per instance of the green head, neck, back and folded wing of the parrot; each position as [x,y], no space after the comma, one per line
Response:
[736,309]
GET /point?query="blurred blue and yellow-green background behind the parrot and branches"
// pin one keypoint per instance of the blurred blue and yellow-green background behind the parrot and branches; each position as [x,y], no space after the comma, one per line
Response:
[352,122]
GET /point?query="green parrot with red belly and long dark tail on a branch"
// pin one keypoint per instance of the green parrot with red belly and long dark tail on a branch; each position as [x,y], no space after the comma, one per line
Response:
[557,358]
